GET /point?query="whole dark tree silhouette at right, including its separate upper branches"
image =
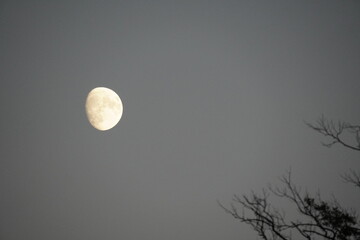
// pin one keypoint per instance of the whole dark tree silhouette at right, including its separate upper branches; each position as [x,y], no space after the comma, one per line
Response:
[317,219]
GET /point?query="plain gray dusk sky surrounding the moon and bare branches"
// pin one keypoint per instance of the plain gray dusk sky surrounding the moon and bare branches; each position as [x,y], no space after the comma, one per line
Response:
[215,94]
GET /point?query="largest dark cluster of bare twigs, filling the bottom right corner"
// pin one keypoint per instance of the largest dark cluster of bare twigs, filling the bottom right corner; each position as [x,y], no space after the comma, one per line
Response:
[319,219]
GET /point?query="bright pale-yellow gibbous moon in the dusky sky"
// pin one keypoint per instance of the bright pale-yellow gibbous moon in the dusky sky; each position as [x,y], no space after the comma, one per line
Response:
[104,108]
